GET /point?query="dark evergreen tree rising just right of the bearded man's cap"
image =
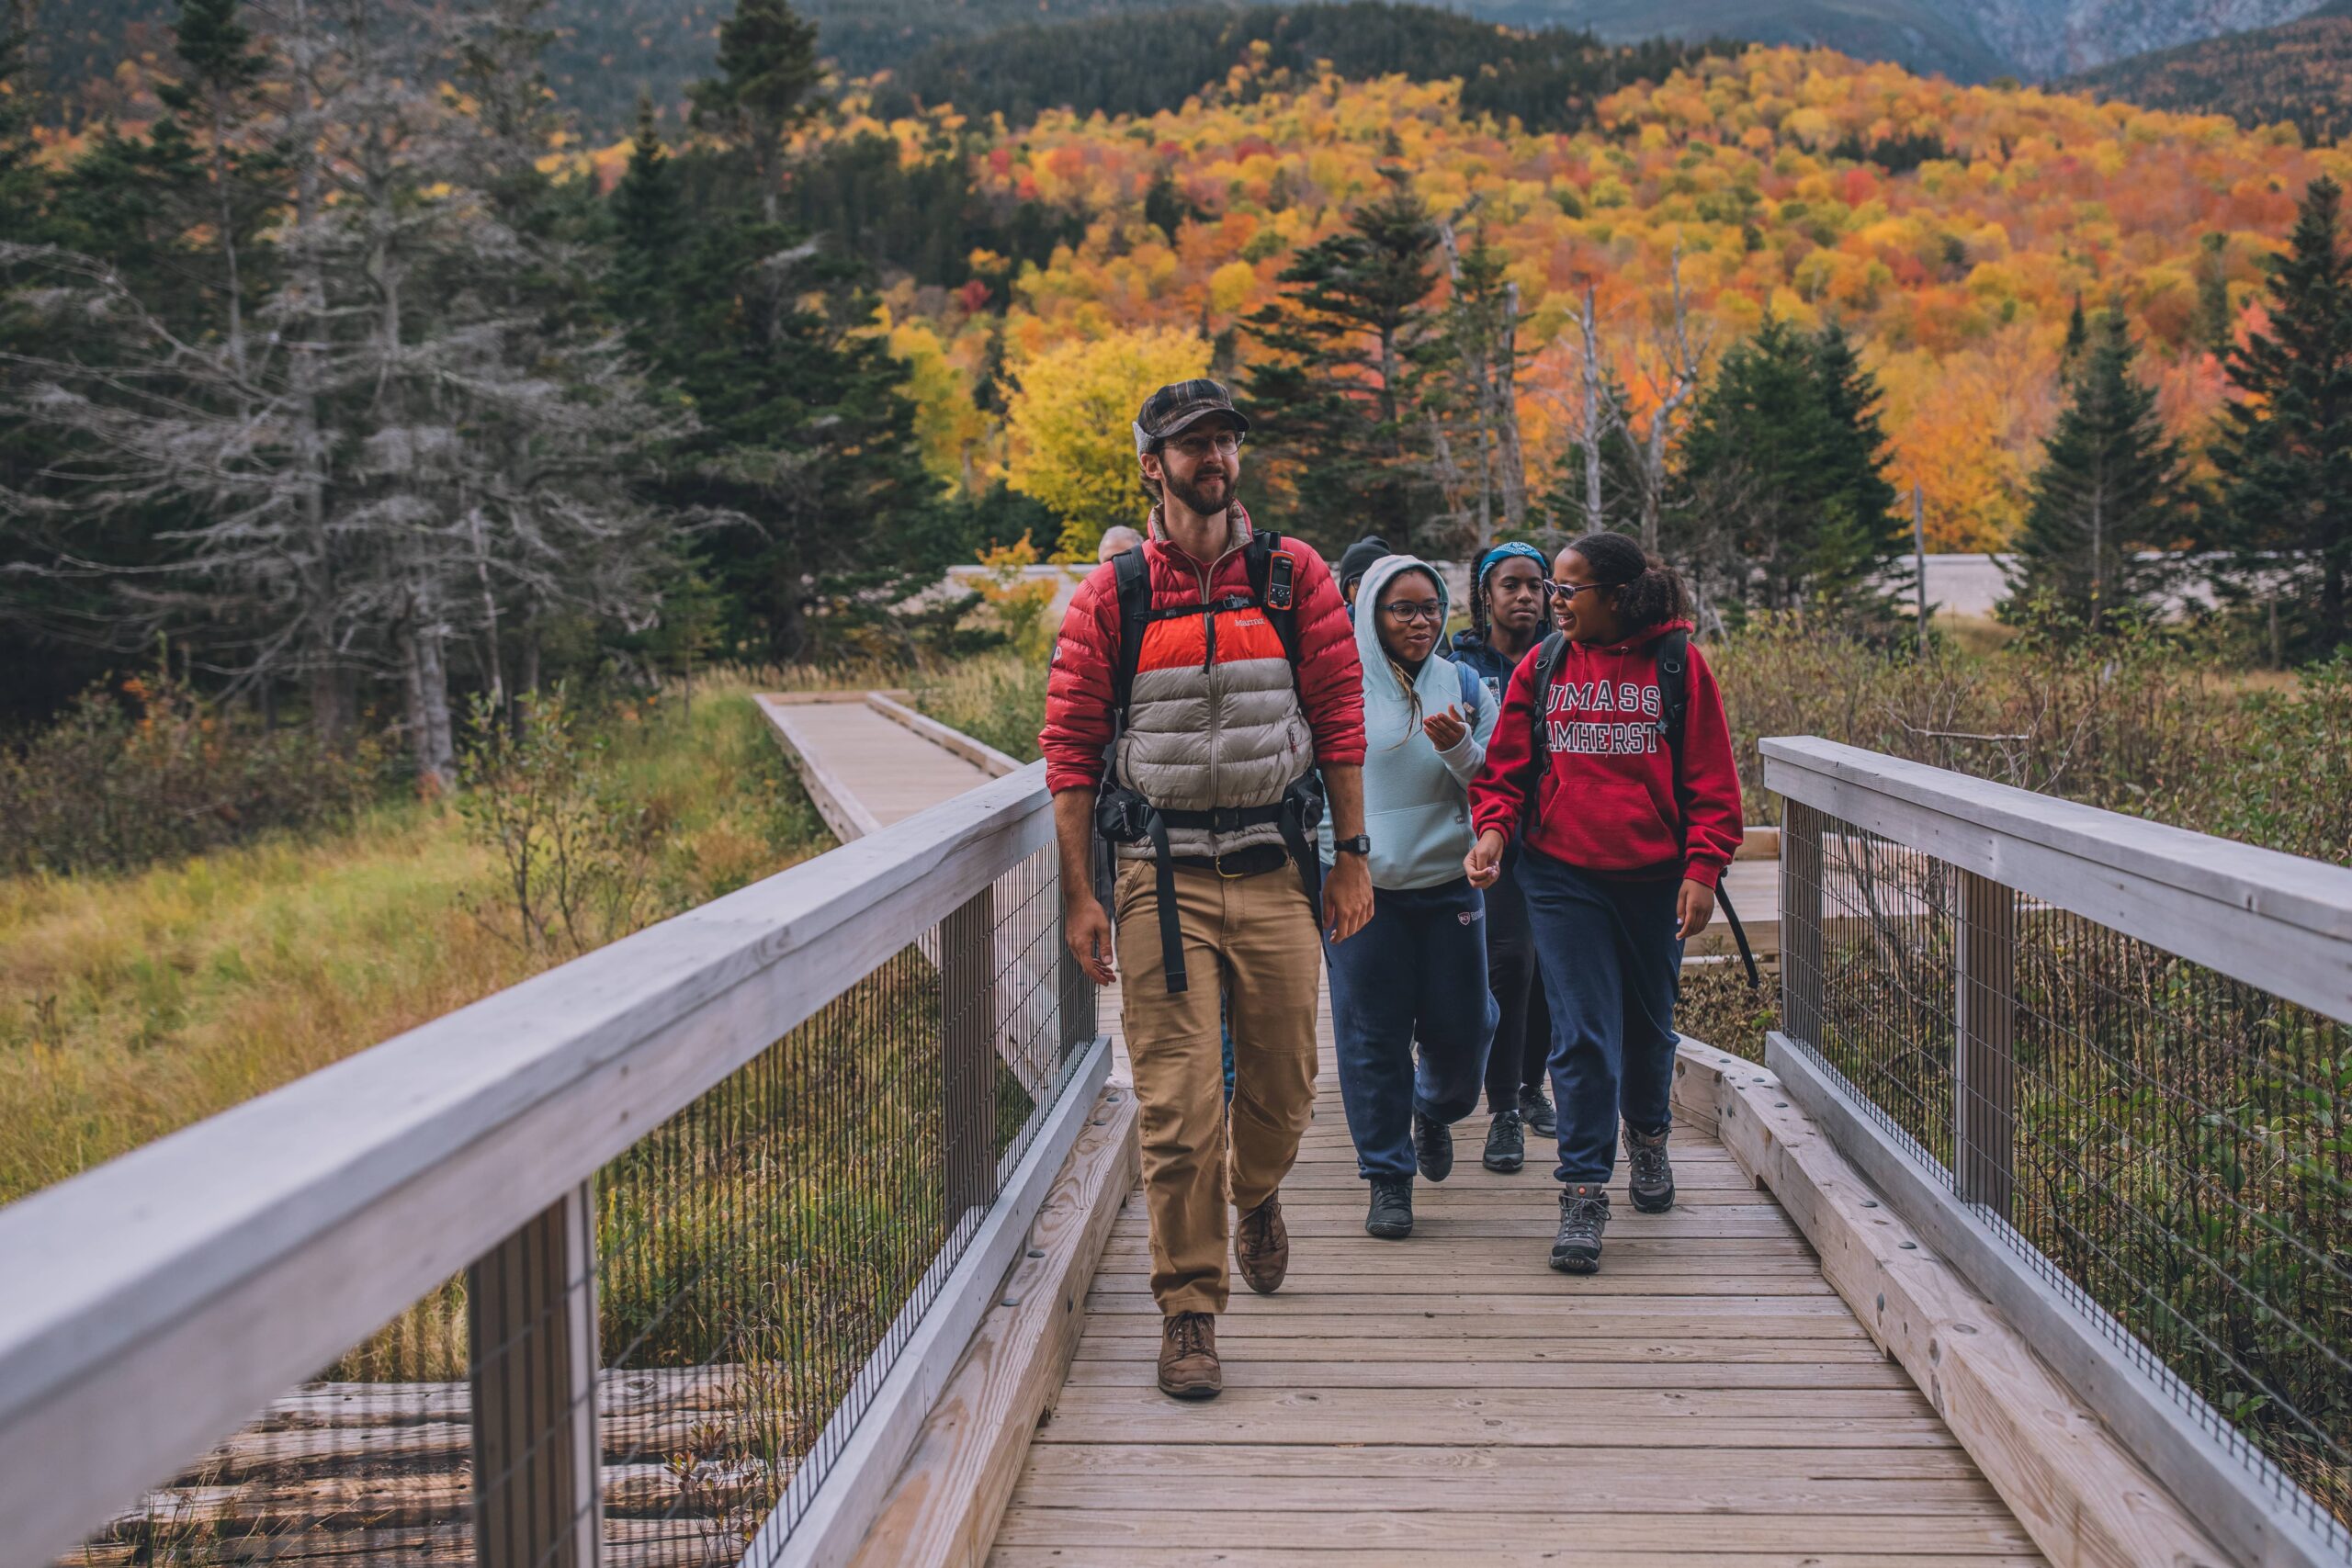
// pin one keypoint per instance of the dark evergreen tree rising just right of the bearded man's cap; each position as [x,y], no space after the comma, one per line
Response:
[1337,406]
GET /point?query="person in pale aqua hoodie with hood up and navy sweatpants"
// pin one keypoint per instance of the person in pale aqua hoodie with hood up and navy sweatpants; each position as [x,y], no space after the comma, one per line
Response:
[1417,974]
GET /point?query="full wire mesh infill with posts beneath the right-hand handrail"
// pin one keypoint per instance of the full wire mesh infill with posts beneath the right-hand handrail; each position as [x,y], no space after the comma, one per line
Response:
[2153,1139]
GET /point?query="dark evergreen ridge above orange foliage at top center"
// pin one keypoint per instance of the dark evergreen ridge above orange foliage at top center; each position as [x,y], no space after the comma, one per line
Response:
[1546,79]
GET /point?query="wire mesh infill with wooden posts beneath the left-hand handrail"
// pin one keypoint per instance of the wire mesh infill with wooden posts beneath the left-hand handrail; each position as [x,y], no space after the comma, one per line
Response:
[676,1353]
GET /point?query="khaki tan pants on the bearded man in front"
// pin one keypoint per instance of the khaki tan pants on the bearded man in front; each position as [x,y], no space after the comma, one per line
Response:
[1255,939]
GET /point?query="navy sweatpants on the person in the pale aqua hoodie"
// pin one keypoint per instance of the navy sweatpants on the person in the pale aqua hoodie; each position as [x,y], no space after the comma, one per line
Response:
[1417,972]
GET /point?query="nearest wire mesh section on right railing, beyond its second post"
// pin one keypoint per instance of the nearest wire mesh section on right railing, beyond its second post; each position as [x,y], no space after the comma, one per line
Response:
[2181,1158]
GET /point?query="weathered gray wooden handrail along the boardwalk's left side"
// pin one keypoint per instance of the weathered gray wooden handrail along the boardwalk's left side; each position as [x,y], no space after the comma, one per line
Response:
[114,1254]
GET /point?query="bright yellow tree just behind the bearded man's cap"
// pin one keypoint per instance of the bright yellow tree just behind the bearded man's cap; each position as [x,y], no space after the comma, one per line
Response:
[1069,422]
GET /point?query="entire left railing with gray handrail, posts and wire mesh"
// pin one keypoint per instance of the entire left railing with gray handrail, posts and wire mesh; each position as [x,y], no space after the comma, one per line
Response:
[163,1306]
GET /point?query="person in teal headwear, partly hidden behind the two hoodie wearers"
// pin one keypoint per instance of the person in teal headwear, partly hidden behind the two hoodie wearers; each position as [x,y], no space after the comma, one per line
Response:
[1509,617]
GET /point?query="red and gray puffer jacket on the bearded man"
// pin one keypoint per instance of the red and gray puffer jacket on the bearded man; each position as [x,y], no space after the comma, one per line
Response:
[1215,716]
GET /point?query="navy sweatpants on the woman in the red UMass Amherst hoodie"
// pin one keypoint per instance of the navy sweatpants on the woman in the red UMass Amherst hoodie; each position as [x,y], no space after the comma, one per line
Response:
[1610,965]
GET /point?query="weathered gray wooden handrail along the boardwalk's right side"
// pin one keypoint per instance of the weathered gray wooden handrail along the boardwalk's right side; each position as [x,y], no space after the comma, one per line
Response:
[2273,920]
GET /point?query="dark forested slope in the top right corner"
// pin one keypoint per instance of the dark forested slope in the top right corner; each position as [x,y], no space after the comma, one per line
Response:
[2294,74]
